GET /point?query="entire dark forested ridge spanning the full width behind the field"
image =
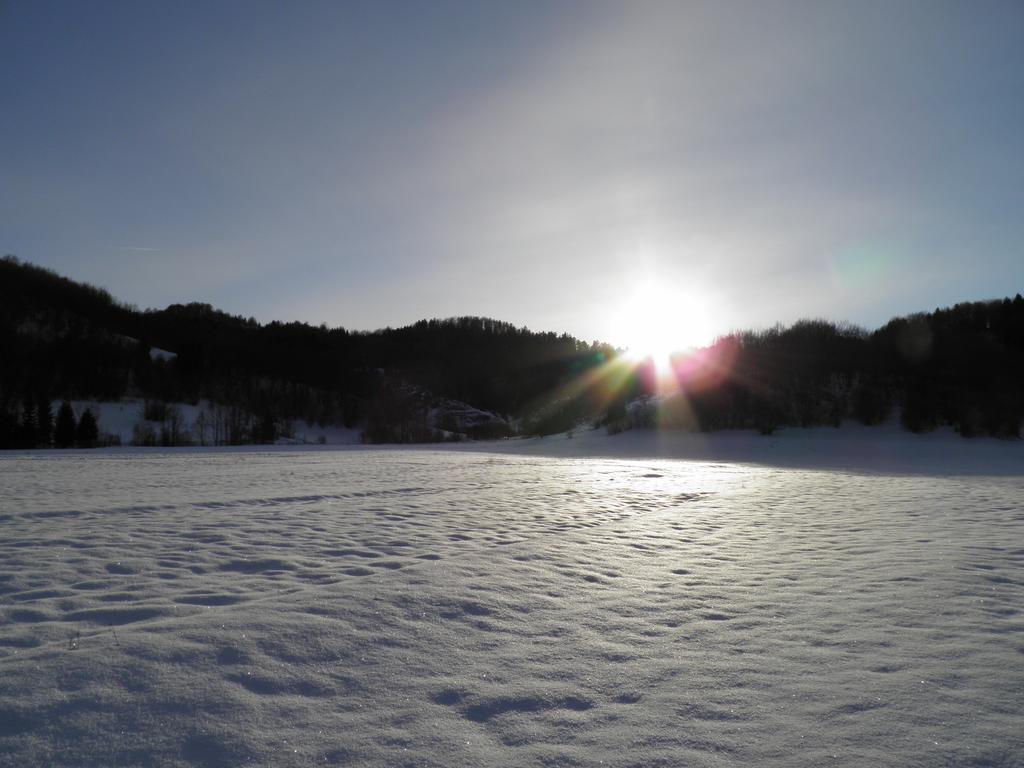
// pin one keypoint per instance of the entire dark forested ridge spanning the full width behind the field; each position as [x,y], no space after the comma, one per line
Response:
[63,340]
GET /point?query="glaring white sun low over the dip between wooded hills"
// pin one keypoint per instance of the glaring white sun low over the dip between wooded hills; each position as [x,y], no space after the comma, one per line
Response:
[658,321]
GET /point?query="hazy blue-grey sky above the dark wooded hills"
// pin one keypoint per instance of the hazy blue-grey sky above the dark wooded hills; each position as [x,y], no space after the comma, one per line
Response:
[608,169]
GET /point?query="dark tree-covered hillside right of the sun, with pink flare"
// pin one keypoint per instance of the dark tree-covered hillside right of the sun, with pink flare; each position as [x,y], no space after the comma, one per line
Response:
[961,367]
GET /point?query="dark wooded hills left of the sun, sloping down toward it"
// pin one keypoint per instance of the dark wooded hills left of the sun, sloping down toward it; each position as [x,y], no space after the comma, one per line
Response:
[67,339]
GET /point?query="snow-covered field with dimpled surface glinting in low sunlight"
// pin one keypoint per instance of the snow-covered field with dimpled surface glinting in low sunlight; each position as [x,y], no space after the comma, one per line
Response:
[455,608]
